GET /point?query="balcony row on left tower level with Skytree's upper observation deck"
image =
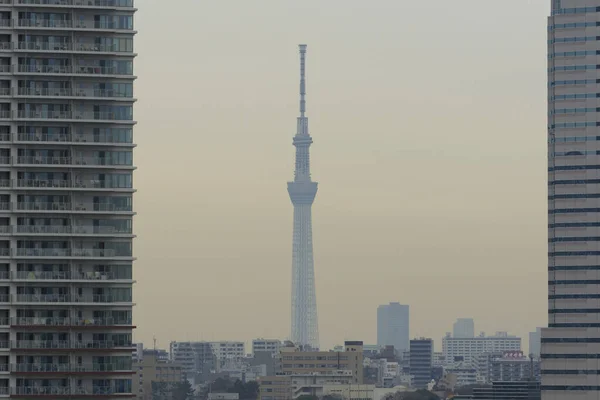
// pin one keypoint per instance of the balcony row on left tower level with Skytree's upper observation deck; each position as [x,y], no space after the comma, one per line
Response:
[61,139]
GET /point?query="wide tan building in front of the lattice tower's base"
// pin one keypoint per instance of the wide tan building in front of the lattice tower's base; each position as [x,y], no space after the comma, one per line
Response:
[294,361]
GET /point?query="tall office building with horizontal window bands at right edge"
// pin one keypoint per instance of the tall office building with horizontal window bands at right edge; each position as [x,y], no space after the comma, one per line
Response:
[571,343]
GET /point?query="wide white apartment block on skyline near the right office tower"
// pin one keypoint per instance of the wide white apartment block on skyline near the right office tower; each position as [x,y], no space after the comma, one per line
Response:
[467,349]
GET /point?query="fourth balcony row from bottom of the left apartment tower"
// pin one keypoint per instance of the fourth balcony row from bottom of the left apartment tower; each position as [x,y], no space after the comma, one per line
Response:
[44,323]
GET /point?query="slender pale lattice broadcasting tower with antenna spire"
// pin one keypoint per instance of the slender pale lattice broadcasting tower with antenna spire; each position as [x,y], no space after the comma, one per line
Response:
[305,324]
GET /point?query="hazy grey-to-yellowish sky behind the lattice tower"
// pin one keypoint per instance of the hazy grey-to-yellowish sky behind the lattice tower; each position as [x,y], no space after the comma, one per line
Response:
[429,128]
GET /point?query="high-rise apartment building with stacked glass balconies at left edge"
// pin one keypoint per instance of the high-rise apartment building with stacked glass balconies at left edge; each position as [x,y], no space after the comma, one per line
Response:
[66,164]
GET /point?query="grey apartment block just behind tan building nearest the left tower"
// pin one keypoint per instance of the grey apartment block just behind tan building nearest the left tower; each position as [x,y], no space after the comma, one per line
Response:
[196,359]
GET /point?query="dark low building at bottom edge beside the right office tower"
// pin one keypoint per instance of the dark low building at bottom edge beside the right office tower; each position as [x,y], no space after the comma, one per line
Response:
[524,390]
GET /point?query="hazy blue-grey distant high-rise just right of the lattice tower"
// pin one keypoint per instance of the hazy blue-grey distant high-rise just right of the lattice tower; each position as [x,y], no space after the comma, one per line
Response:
[393,326]
